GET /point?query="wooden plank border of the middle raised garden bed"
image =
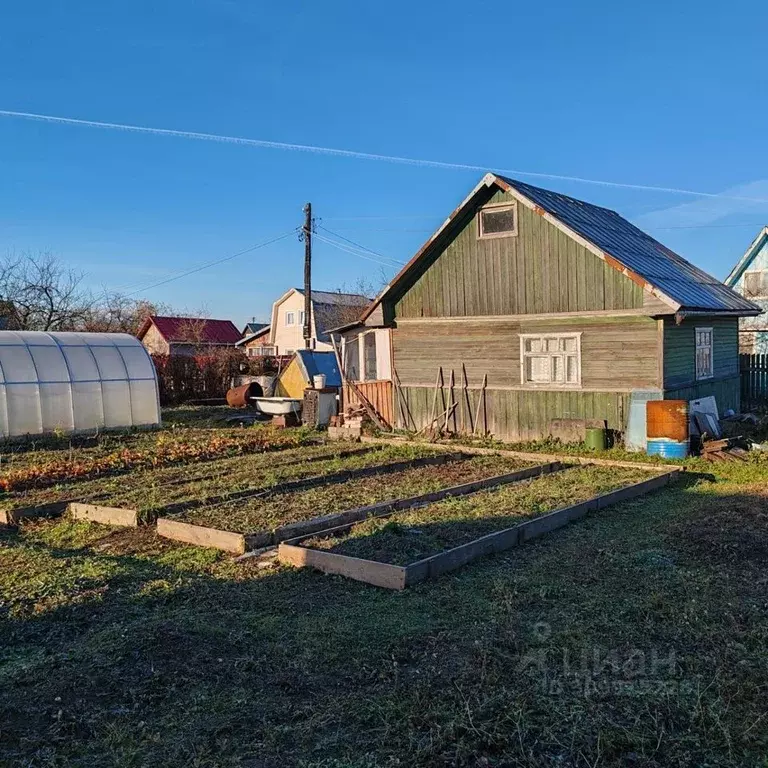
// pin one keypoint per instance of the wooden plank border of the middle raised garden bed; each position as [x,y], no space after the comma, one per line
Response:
[239,543]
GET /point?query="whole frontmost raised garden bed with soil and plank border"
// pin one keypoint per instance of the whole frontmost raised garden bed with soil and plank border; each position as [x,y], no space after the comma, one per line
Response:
[396,552]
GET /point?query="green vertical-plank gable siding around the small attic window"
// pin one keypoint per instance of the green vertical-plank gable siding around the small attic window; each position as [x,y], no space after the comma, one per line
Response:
[540,270]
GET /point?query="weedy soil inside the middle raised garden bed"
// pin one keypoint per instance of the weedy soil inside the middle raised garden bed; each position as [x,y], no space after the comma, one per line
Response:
[262,514]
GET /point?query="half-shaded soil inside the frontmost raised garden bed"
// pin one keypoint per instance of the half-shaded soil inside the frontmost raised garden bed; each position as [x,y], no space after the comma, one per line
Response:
[408,536]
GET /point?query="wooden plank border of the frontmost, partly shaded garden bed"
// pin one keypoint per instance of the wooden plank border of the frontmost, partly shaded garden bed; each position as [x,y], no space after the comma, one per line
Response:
[294,552]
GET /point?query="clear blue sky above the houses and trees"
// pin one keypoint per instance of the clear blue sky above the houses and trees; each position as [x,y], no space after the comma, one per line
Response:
[668,94]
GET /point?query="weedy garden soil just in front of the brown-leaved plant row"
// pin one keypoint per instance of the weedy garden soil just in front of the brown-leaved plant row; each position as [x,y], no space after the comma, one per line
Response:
[147,490]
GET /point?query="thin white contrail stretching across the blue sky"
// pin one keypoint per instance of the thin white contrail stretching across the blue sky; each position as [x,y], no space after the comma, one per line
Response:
[266,144]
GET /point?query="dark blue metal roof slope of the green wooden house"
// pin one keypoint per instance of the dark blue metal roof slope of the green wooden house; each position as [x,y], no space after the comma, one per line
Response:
[661,267]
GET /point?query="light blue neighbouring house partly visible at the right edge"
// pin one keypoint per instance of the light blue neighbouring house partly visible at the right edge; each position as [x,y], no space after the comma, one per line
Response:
[750,278]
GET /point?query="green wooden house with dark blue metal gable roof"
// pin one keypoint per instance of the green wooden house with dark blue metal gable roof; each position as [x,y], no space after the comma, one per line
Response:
[564,308]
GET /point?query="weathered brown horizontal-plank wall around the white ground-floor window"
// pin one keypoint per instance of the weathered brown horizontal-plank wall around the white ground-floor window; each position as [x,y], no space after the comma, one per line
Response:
[617,353]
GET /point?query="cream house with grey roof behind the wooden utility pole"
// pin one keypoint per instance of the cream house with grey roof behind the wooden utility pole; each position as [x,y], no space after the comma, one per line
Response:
[330,309]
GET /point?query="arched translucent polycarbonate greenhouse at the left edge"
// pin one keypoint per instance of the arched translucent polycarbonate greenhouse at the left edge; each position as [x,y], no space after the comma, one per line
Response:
[52,381]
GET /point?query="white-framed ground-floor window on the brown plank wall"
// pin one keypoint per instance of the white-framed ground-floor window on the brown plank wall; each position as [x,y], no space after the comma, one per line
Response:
[550,359]
